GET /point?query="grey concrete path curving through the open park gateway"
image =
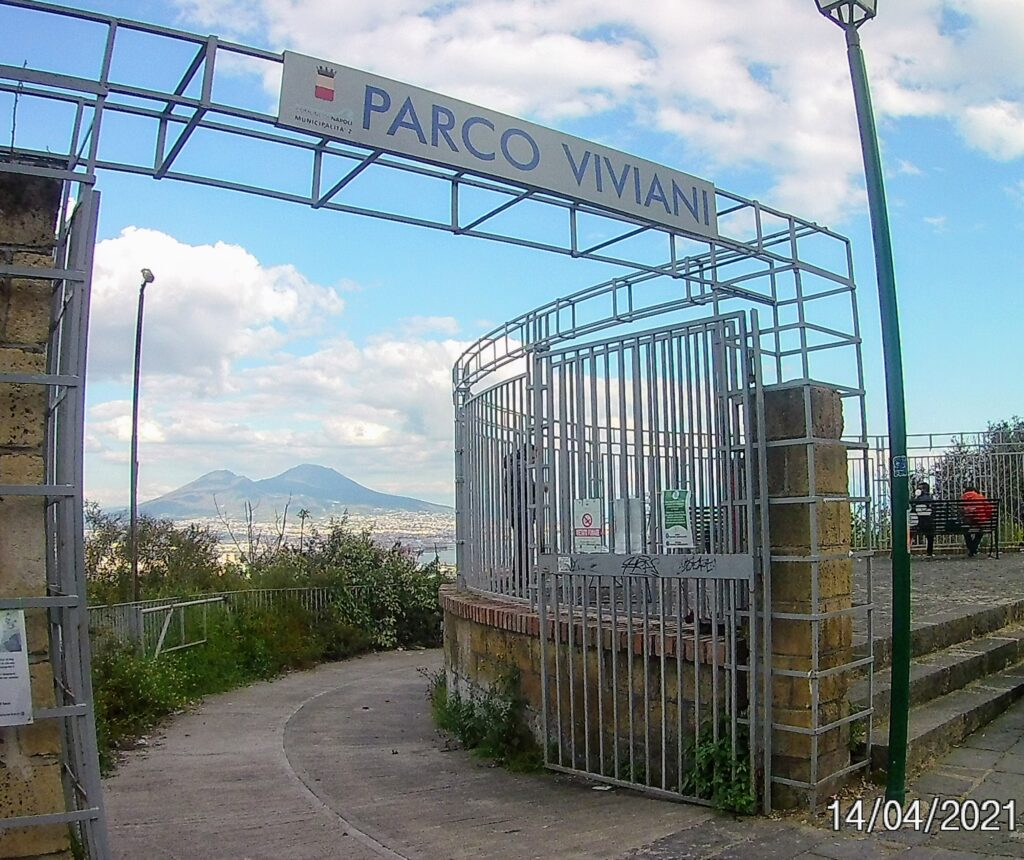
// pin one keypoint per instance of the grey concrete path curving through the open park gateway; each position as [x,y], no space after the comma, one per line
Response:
[343,762]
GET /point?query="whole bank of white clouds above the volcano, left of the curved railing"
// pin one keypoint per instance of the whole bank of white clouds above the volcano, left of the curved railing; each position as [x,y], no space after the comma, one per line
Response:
[222,390]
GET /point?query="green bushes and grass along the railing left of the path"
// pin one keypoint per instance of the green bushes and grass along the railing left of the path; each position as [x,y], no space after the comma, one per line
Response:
[382,599]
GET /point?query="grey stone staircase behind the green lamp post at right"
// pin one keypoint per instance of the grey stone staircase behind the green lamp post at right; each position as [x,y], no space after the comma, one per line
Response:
[964,673]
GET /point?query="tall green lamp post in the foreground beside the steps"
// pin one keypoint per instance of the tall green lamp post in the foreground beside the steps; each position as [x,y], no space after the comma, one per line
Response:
[850,15]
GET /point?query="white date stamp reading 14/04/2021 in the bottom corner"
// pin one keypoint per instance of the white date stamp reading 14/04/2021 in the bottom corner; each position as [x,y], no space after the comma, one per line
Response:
[936,815]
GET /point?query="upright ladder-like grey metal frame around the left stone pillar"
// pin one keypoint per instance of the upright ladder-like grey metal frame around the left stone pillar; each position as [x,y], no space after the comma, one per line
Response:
[62,489]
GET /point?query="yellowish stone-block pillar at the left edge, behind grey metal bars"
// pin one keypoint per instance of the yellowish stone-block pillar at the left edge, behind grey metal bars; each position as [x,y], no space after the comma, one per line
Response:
[30,756]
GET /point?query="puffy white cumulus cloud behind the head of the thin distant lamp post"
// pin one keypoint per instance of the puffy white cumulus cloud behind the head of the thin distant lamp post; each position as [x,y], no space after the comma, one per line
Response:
[210,307]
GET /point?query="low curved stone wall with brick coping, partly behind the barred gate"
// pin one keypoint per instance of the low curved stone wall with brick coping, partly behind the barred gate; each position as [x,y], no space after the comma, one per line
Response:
[486,637]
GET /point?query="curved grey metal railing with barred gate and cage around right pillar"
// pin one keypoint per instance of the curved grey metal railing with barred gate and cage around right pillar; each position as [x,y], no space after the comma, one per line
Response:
[578,400]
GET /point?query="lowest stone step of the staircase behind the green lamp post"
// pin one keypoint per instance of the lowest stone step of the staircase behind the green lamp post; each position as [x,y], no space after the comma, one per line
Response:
[945,722]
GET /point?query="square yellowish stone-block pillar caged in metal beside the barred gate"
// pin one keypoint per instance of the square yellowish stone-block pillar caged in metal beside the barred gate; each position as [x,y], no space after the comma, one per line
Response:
[812,575]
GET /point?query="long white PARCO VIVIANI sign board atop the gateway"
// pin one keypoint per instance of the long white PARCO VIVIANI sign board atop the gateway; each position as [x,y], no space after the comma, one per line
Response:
[343,104]
